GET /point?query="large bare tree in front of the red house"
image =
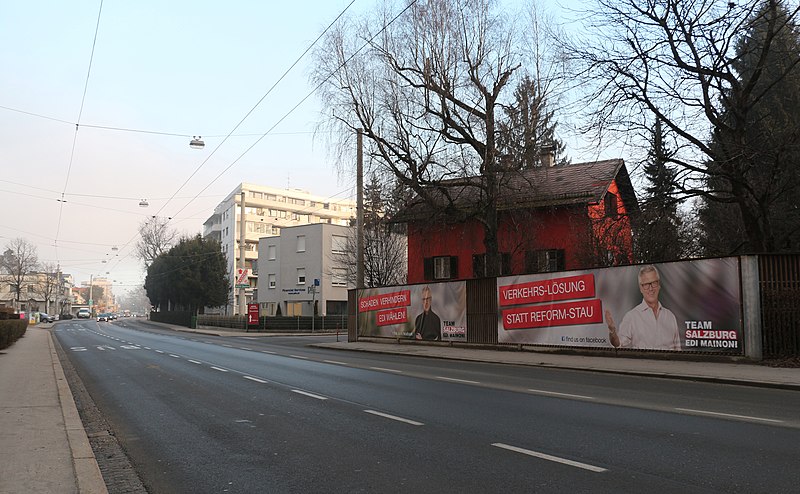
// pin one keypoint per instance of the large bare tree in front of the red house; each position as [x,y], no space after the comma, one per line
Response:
[428,82]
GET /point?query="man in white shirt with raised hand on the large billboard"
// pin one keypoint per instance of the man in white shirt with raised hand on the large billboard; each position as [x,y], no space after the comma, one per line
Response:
[649,325]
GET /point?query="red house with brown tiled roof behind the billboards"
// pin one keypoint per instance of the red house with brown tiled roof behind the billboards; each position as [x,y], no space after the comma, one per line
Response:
[549,219]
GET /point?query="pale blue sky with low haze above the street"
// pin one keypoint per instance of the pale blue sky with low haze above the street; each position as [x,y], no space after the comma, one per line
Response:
[155,74]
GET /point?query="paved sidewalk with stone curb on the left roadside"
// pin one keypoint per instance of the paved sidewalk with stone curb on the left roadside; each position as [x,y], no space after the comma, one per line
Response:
[43,446]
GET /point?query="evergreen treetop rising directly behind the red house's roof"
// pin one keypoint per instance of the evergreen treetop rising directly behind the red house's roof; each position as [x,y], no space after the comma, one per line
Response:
[529,127]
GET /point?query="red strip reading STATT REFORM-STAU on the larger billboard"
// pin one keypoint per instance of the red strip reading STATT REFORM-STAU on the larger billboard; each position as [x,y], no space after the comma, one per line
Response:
[563,314]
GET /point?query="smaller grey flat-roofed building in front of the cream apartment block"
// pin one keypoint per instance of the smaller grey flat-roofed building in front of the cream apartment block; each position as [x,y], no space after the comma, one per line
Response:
[301,273]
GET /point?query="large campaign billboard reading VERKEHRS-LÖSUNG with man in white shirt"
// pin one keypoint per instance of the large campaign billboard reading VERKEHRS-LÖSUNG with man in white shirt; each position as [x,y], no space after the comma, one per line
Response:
[680,306]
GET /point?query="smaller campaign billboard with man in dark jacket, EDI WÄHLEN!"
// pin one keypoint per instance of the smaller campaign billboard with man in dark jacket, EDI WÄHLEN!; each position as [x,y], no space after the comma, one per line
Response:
[432,312]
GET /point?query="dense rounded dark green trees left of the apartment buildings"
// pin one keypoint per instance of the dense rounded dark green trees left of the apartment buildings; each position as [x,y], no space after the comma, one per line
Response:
[192,274]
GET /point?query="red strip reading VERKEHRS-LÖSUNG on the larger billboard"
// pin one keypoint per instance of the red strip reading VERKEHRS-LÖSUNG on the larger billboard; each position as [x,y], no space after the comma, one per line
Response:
[534,292]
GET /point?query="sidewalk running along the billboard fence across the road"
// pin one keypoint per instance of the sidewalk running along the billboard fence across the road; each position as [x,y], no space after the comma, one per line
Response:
[744,373]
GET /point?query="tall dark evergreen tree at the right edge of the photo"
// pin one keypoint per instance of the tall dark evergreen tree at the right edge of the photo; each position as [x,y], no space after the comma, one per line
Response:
[771,142]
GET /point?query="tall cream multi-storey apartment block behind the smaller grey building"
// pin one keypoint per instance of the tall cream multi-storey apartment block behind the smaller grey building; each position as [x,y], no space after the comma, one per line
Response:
[267,210]
